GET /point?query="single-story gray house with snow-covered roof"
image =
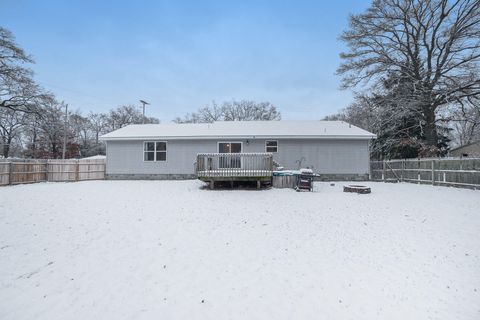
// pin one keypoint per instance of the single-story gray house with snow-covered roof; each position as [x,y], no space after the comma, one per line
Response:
[335,149]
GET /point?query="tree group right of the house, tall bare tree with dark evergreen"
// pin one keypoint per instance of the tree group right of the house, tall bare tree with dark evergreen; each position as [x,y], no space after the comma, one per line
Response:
[417,64]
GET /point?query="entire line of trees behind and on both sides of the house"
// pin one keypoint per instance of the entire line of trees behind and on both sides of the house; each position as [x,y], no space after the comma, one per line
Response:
[415,66]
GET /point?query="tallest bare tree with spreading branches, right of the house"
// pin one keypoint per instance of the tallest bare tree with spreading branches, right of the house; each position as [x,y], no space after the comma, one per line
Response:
[432,44]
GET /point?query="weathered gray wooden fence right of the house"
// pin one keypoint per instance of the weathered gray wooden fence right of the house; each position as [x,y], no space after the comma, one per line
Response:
[447,172]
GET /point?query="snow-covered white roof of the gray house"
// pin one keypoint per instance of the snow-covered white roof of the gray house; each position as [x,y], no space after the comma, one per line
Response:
[240,129]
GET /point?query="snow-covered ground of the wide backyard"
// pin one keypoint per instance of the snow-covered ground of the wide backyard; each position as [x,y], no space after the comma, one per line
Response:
[170,250]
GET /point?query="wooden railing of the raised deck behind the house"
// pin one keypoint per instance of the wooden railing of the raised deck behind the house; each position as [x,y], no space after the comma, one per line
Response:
[234,165]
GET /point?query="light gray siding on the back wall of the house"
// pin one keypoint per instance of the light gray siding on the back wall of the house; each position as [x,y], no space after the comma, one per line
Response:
[324,156]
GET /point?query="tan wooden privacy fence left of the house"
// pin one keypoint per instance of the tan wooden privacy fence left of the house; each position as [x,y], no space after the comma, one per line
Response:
[28,171]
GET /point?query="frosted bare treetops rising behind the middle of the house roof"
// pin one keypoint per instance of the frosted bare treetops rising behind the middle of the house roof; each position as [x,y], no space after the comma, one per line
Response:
[244,110]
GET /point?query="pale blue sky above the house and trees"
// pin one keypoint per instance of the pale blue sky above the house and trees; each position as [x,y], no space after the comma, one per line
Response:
[181,55]
